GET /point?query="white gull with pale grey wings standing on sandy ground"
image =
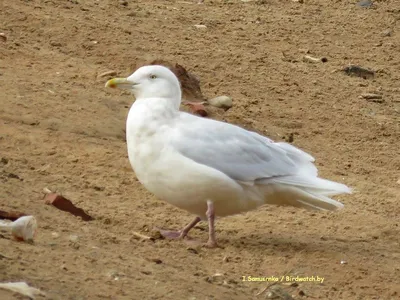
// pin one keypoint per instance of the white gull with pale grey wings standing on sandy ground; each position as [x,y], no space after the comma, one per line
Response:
[210,168]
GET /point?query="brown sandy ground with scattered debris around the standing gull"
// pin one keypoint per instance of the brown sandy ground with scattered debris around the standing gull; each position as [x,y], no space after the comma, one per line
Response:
[61,129]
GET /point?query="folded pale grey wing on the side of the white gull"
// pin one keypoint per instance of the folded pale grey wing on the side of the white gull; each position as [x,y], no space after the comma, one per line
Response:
[242,155]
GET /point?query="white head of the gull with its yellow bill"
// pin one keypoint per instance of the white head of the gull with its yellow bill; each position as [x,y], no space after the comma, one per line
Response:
[150,82]
